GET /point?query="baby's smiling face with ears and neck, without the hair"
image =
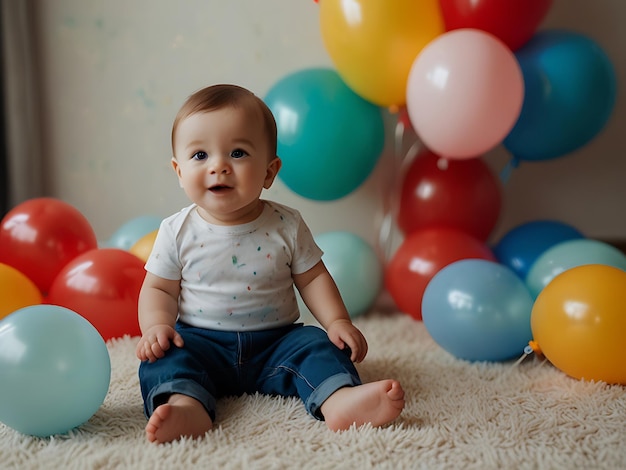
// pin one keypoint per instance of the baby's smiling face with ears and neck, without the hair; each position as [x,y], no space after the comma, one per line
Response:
[223,162]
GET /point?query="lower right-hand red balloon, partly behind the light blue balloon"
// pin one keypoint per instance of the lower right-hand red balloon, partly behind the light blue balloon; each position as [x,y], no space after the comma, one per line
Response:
[422,255]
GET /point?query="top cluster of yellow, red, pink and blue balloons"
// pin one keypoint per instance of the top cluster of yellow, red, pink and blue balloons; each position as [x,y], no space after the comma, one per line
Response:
[473,74]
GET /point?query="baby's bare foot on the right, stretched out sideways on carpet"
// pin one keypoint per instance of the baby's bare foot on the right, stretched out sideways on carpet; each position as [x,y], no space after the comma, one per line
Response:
[377,403]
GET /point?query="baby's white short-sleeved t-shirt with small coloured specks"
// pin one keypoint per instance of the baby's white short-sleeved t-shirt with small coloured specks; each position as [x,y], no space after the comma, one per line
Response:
[236,278]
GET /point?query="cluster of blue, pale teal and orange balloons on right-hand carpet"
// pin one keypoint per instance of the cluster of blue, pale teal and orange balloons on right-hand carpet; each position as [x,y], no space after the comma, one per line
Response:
[547,283]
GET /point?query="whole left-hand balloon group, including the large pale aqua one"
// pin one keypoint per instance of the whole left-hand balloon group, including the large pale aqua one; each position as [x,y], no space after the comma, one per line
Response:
[61,298]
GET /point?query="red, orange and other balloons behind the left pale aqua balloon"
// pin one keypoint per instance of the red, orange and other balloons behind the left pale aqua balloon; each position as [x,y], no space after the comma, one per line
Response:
[49,255]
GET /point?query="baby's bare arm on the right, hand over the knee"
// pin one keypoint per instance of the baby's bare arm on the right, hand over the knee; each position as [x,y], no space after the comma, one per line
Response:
[320,294]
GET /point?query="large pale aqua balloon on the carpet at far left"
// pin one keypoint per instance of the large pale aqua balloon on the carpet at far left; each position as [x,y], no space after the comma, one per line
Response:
[55,370]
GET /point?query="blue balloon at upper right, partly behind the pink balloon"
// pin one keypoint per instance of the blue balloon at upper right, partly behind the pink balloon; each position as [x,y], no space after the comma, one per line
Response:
[570,91]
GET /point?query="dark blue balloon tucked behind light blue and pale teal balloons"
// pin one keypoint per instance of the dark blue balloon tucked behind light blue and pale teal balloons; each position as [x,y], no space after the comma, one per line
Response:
[521,246]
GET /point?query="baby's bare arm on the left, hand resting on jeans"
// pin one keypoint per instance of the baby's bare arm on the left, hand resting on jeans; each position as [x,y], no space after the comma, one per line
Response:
[158,310]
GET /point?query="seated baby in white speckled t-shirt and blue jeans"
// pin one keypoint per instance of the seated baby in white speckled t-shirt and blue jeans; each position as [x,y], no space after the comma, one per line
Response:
[218,311]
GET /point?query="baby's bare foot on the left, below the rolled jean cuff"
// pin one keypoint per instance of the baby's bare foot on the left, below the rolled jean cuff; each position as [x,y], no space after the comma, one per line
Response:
[180,416]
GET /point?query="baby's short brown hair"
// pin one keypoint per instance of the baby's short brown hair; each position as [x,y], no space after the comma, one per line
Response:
[220,96]
